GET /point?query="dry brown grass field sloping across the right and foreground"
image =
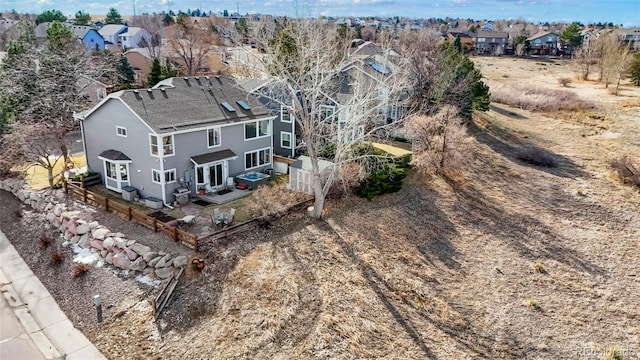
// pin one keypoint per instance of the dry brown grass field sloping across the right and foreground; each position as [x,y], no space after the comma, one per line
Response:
[512,261]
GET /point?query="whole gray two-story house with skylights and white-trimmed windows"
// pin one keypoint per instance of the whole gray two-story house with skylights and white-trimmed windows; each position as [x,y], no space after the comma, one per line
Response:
[191,132]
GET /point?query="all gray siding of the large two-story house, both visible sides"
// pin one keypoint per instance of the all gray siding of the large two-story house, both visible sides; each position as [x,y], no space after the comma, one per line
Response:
[100,135]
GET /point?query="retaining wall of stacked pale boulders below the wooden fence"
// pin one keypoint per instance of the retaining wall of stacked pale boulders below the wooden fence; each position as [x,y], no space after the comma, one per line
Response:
[114,248]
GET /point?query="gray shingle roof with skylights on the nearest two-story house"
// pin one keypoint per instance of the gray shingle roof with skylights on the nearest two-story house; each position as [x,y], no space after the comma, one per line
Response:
[192,102]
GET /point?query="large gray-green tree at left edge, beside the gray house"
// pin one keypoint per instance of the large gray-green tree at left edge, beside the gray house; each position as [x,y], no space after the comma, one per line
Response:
[50,82]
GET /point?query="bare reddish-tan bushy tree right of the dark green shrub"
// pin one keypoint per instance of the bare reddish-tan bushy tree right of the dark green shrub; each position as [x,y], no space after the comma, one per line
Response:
[440,142]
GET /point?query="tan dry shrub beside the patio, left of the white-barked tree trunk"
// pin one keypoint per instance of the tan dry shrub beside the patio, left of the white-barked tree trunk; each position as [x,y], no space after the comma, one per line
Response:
[272,200]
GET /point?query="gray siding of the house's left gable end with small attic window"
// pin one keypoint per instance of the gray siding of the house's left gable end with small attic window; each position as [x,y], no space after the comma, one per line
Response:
[100,135]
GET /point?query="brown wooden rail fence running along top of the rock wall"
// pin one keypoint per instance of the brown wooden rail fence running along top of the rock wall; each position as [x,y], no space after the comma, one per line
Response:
[132,214]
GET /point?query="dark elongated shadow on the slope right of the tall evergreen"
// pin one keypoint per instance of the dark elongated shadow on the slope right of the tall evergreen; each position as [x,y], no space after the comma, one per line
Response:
[524,152]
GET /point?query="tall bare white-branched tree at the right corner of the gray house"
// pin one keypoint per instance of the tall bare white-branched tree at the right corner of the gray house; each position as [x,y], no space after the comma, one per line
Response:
[308,78]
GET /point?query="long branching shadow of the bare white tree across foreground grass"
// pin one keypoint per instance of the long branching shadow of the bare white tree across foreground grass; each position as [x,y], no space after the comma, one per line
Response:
[427,228]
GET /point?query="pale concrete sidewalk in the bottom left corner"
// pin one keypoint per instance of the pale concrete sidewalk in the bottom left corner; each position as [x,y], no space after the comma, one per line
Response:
[32,326]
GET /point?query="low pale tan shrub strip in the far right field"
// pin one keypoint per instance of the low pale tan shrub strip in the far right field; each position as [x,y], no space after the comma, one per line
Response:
[537,99]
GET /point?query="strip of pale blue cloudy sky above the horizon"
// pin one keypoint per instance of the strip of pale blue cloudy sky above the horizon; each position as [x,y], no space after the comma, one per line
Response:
[626,12]
